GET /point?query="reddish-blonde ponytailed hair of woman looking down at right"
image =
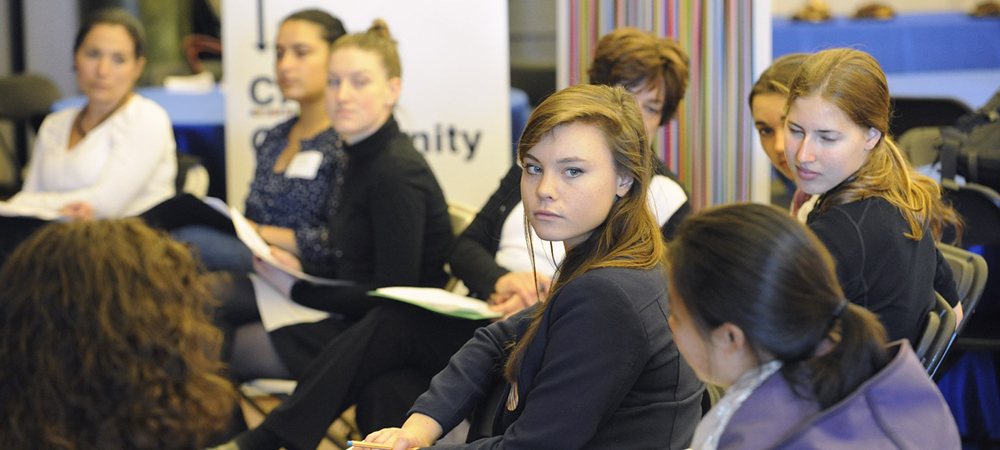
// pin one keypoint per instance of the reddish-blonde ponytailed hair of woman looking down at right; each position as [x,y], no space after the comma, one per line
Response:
[852,81]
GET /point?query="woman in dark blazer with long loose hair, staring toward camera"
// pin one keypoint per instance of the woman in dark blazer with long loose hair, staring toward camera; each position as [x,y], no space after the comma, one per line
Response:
[594,365]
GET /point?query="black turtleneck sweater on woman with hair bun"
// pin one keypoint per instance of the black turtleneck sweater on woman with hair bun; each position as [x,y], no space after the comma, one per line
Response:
[389,226]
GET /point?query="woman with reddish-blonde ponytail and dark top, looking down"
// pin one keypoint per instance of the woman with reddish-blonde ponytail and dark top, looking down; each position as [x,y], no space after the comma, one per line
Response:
[876,215]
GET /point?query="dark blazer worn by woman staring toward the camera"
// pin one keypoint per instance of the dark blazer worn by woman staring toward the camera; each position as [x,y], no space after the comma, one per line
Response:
[603,372]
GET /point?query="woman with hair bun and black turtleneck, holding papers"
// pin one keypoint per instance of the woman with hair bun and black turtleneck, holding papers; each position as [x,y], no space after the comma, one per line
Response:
[388,222]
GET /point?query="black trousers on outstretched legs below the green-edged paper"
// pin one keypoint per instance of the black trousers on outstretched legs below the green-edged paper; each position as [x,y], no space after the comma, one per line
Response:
[382,363]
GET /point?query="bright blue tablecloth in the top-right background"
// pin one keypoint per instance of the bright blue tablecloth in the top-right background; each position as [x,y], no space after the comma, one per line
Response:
[905,43]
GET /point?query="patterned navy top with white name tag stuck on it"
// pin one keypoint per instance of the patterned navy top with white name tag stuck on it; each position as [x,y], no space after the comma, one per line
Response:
[297,203]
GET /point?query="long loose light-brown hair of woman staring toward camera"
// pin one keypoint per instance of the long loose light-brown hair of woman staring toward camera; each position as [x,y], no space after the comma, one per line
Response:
[630,236]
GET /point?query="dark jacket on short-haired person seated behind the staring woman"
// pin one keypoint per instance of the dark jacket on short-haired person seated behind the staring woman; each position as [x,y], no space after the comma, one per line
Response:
[473,260]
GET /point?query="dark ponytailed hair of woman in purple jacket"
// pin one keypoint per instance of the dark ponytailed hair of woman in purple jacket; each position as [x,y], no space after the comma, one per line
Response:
[756,267]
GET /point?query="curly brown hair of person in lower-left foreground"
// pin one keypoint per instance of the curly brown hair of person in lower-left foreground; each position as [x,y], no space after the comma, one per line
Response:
[105,342]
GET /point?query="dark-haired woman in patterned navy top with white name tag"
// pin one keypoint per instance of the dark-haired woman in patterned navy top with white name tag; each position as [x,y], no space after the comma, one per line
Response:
[297,160]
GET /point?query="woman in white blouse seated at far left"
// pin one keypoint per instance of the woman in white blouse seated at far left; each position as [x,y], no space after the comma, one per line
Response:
[115,156]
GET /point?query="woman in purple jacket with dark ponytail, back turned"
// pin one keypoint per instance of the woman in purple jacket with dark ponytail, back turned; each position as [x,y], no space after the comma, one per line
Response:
[755,306]
